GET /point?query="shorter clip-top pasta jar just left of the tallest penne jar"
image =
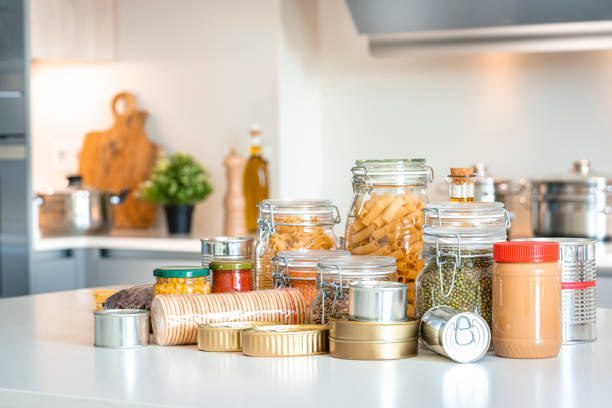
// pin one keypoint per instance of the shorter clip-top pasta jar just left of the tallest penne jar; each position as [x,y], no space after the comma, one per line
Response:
[292,224]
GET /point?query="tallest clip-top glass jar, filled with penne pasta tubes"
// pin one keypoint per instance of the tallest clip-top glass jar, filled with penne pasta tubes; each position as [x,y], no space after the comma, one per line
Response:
[386,216]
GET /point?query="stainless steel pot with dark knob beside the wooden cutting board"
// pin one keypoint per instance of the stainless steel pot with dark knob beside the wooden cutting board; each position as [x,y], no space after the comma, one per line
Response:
[76,210]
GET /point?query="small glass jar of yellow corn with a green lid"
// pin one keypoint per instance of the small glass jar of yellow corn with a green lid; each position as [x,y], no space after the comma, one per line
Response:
[181,280]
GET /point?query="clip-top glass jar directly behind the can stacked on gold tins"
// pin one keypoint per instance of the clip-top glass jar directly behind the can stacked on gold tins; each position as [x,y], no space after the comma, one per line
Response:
[335,275]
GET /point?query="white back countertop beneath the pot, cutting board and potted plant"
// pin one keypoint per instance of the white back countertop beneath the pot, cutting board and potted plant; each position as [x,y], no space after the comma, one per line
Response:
[138,240]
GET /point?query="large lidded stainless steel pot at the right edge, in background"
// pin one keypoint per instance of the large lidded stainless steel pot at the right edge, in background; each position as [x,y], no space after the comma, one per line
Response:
[578,204]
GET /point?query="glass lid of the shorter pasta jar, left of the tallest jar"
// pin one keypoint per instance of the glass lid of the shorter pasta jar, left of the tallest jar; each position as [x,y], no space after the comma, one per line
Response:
[306,212]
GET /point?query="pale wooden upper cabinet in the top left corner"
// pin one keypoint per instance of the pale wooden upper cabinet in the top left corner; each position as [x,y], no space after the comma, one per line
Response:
[73,29]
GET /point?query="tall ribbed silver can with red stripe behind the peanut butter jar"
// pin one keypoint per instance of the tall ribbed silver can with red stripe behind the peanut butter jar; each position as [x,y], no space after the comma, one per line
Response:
[578,278]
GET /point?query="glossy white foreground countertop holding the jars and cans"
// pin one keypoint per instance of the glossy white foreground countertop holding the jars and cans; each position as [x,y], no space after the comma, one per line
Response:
[48,358]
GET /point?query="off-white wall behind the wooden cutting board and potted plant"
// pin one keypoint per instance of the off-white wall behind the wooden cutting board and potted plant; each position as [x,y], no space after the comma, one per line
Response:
[204,70]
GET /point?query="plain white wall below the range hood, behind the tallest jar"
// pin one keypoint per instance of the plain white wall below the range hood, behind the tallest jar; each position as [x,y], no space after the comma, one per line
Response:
[522,114]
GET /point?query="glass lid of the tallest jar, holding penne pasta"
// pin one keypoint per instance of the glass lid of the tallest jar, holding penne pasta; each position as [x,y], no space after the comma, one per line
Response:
[392,172]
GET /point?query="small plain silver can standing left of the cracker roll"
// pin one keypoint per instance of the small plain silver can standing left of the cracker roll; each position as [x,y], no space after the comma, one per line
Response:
[121,328]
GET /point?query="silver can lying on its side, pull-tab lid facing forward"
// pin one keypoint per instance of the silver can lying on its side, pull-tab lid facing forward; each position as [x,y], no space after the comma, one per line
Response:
[463,337]
